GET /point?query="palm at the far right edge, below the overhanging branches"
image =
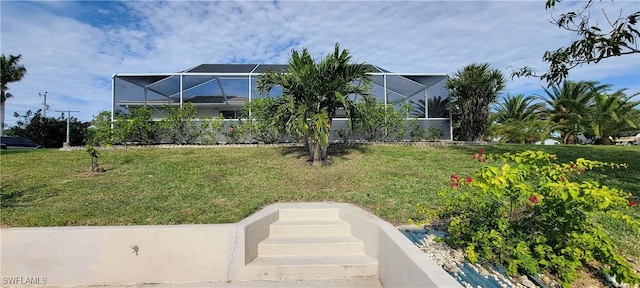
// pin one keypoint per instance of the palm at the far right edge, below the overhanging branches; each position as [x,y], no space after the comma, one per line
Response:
[611,114]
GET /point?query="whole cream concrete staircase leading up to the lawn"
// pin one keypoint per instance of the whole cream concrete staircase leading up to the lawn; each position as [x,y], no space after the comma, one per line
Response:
[312,244]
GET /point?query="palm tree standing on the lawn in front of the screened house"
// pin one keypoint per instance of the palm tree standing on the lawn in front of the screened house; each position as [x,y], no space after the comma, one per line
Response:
[312,92]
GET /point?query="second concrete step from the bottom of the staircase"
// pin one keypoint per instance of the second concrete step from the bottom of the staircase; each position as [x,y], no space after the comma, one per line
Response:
[314,245]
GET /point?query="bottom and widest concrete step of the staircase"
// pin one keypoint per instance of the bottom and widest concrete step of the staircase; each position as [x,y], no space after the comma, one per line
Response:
[314,267]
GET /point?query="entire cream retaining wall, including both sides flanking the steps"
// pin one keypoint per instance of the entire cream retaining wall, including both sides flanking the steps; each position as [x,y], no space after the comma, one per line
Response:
[72,256]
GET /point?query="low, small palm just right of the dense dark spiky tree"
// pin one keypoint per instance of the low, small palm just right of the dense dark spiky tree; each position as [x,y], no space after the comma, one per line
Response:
[516,120]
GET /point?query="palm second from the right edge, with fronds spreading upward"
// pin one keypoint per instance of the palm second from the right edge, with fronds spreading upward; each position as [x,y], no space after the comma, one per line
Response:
[568,107]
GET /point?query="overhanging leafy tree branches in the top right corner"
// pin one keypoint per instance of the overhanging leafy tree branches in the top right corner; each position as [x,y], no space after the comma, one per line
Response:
[594,43]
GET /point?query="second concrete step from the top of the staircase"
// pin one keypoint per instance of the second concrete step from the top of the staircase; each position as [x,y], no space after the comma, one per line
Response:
[309,227]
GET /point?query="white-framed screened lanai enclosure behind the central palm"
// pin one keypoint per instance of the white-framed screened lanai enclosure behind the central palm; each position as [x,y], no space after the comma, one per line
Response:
[223,89]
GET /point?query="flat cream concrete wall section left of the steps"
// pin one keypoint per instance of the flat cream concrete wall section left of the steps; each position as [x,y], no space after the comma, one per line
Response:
[105,255]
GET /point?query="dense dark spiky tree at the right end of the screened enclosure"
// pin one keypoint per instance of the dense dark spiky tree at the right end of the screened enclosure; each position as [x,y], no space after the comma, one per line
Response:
[472,90]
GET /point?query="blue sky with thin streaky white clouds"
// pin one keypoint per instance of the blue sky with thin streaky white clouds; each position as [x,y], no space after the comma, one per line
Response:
[71,49]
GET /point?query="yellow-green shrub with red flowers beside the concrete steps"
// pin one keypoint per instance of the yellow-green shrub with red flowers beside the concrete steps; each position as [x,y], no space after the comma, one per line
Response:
[529,215]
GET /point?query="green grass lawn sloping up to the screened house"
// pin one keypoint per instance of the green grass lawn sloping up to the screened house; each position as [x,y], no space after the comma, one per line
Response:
[226,184]
